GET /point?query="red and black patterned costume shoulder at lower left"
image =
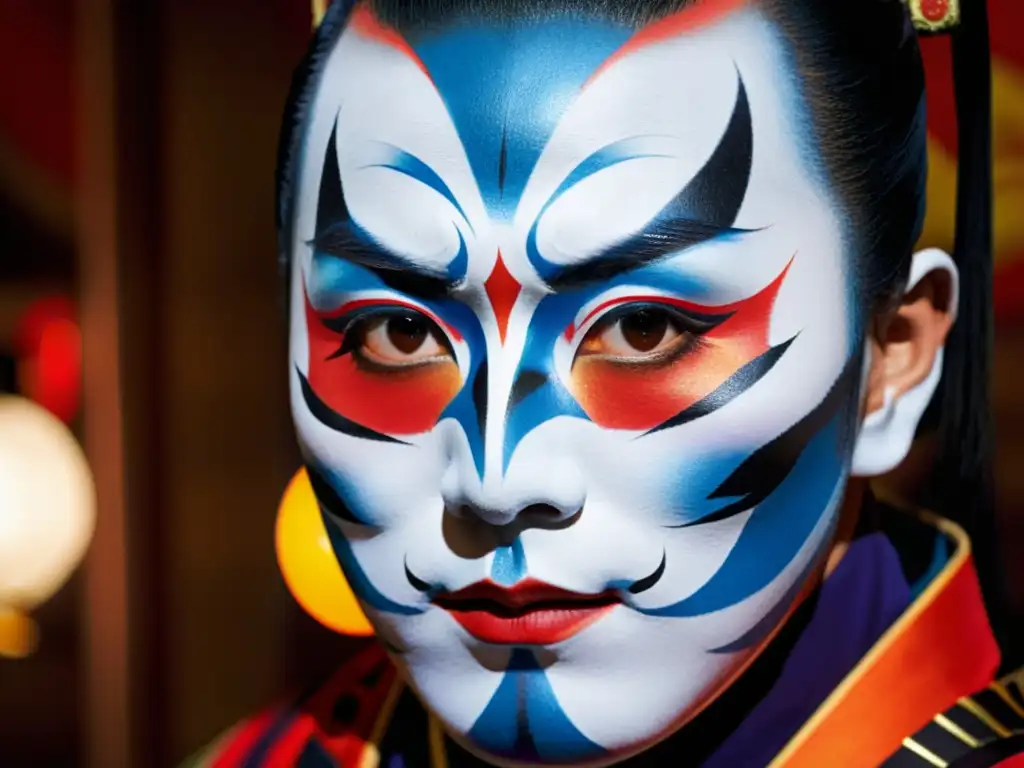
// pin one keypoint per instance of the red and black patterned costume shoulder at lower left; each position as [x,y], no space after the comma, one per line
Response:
[338,723]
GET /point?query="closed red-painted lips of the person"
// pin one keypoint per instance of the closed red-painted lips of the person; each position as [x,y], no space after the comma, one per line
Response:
[531,613]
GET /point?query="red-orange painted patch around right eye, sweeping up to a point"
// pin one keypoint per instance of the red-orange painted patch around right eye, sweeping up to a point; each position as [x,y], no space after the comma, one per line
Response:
[619,396]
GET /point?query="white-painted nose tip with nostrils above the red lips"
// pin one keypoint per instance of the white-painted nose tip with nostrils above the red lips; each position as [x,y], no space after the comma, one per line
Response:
[537,492]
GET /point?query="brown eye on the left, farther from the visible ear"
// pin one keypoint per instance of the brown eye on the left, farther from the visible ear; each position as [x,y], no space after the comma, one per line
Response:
[399,340]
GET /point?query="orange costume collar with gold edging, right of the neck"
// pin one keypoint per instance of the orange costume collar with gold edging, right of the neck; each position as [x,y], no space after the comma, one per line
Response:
[941,650]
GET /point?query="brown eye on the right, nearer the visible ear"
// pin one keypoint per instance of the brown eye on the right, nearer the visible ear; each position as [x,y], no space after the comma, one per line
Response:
[642,334]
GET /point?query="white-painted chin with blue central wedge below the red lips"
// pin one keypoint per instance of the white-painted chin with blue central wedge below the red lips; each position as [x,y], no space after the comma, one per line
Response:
[582,702]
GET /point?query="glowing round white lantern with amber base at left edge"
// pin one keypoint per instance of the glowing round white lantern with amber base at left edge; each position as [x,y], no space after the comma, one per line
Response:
[48,515]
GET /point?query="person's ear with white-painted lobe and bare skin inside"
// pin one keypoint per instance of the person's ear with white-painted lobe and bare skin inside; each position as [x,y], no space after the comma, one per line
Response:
[904,364]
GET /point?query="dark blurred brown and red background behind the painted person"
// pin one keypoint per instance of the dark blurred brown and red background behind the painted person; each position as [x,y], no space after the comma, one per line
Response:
[138,147]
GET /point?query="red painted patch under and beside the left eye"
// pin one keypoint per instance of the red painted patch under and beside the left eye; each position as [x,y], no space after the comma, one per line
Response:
[399,402]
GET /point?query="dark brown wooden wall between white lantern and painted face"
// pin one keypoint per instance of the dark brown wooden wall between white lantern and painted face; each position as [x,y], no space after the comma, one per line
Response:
[181,105]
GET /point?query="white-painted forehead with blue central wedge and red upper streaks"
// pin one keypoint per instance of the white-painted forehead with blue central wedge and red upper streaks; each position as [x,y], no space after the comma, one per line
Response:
[487,122]
